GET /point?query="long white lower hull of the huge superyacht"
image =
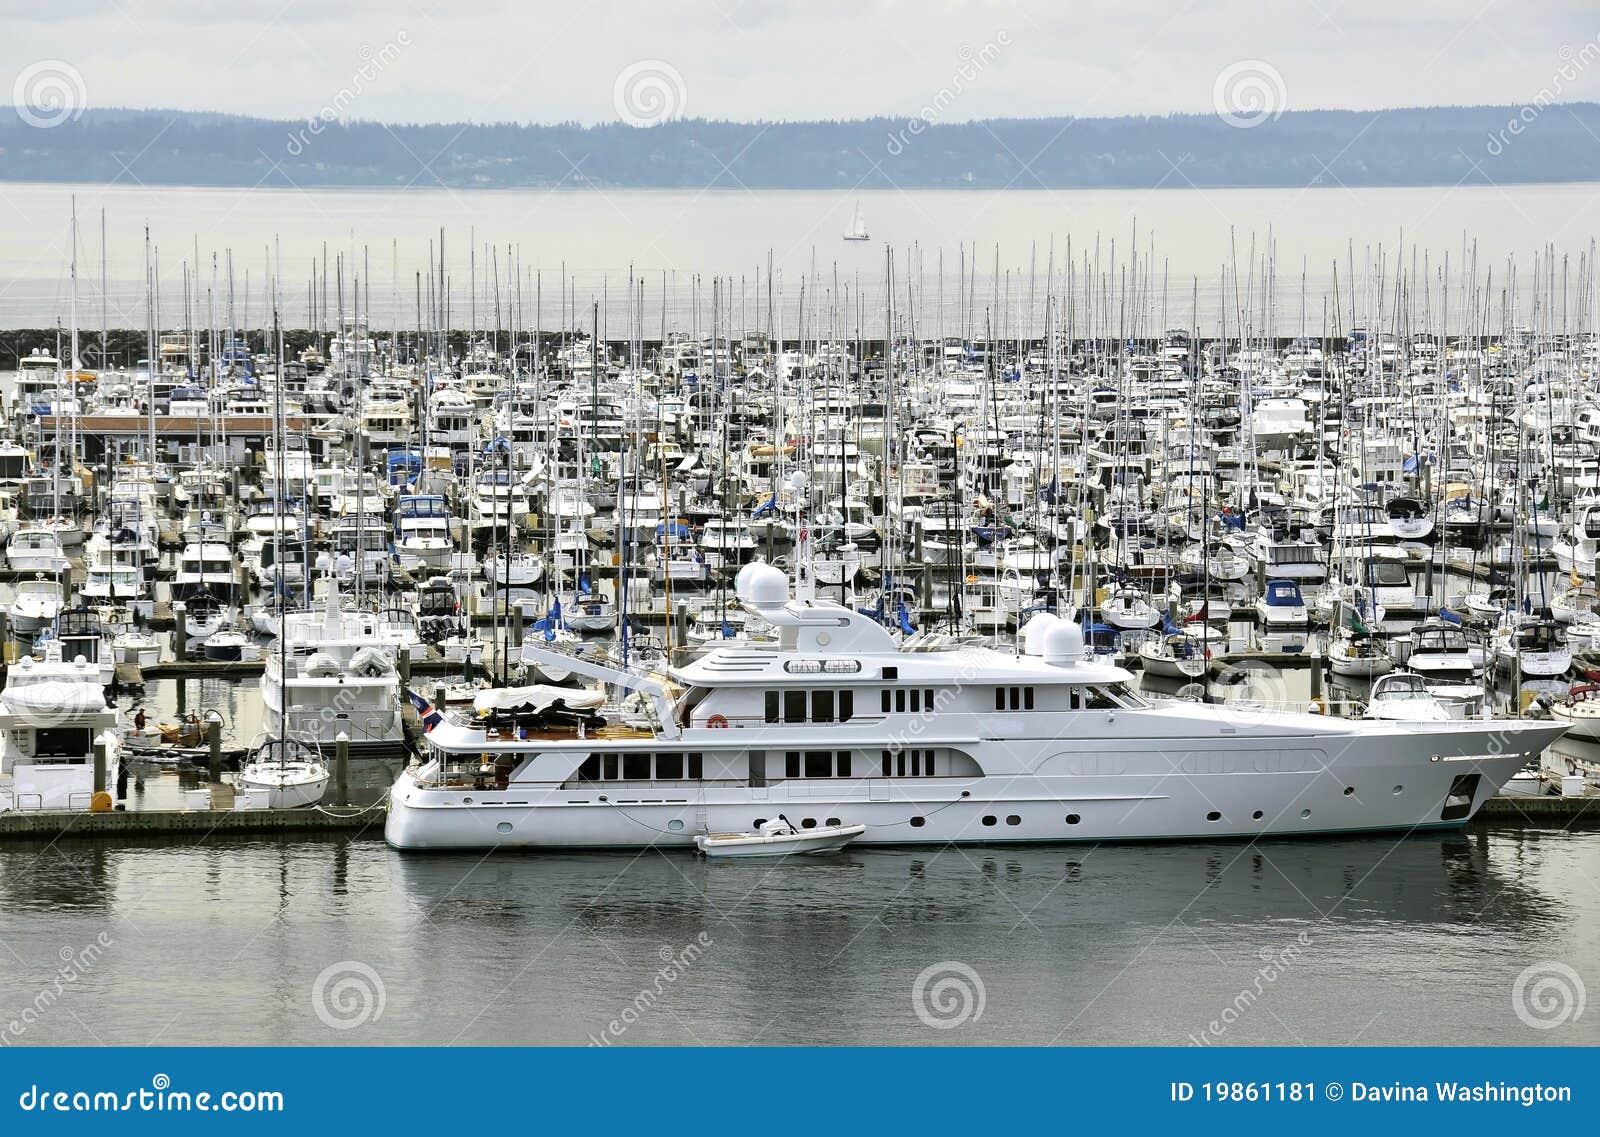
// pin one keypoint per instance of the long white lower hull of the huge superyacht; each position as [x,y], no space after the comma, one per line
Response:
[1362,778]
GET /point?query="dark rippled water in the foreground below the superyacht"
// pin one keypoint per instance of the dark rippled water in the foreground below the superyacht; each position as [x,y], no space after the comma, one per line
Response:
[1374,941]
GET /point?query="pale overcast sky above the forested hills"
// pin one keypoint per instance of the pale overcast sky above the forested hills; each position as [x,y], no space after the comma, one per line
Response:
[548,62]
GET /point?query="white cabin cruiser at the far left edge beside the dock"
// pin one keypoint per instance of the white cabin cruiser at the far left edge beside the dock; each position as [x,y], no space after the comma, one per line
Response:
[54,720]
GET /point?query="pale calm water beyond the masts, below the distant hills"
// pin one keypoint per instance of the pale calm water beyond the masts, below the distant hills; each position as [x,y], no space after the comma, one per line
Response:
[604,236]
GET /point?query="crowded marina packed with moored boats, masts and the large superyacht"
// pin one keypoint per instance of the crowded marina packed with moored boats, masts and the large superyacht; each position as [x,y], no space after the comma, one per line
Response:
[1066,561]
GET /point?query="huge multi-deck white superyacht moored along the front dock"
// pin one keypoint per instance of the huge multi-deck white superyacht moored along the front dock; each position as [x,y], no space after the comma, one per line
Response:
[838,725]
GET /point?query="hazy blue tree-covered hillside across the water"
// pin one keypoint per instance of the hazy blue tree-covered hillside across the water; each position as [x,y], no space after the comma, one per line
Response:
[1441,146]
